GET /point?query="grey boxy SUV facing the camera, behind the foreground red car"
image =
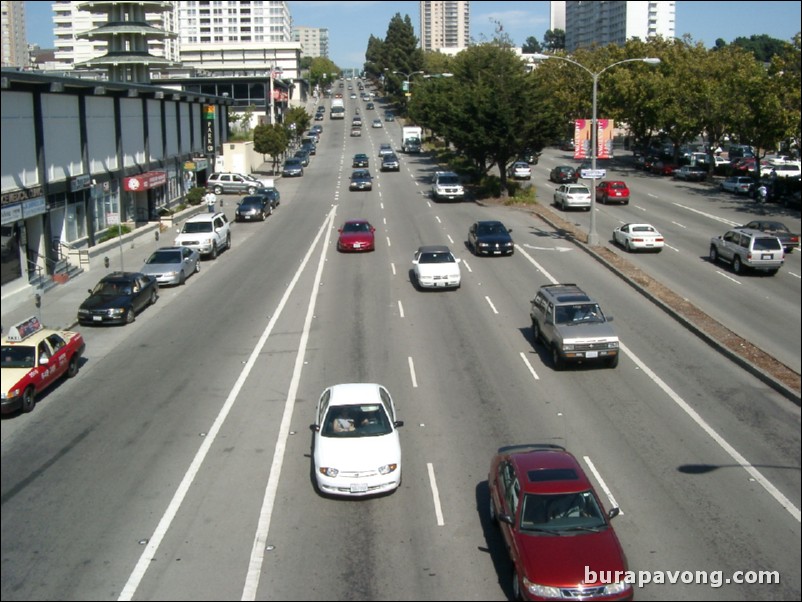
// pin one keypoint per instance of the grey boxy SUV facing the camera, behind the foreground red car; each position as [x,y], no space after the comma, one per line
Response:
[572,326]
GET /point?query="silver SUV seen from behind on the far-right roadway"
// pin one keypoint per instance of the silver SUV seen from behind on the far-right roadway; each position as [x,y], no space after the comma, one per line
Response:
[744,248]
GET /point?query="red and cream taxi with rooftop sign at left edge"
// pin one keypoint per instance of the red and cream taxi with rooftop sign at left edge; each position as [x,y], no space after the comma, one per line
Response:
[32,359]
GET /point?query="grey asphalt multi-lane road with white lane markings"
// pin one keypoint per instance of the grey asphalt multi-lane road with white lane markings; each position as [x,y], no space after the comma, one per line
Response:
[178,464]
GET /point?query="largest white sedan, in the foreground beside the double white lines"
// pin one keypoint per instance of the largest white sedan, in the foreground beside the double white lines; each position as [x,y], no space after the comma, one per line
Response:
[357,448]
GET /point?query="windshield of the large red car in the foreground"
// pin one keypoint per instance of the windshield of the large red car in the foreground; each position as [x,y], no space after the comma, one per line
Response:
[562,511]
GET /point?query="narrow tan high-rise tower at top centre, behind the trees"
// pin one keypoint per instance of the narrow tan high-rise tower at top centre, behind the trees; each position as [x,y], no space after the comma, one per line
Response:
[445,26]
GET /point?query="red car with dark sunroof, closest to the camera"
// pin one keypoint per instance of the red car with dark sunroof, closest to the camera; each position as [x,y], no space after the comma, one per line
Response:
[554,526]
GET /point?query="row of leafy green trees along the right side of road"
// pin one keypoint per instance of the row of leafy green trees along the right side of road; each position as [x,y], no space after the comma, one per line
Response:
[496,103]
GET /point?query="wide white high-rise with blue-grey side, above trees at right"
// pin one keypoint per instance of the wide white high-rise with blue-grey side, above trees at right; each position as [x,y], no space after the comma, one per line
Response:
[601,23]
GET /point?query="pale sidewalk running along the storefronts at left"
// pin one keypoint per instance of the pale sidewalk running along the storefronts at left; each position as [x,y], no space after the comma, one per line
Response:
[59,304]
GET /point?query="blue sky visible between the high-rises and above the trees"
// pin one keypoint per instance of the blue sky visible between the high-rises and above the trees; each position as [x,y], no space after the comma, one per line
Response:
[351,24]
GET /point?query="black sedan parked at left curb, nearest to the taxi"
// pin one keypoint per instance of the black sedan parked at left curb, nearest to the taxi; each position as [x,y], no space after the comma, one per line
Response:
[118,298]
